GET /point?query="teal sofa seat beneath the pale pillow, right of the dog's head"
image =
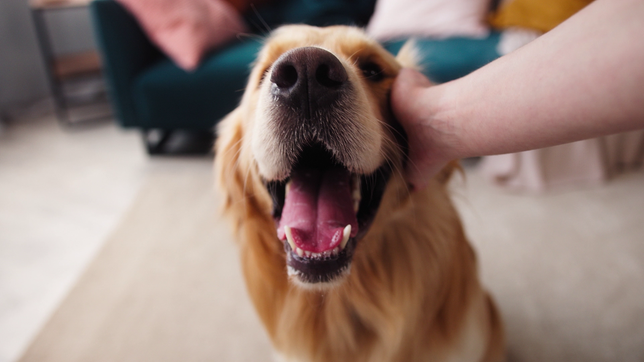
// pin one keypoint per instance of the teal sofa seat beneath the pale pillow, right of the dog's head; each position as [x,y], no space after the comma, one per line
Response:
[449,59]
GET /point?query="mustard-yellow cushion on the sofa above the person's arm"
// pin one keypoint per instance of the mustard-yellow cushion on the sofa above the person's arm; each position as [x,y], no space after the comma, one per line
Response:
[541,15]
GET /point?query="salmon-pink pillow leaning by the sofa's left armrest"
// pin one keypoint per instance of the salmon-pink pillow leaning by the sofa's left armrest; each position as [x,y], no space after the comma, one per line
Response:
[186,29]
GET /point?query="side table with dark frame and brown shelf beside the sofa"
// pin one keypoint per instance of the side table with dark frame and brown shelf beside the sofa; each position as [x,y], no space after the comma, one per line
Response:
[68,67]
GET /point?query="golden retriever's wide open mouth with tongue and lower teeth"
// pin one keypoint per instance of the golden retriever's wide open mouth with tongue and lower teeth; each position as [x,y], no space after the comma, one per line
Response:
[321,211]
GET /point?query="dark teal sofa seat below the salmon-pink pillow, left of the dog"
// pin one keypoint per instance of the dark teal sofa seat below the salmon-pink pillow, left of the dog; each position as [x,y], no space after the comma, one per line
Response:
[167,97]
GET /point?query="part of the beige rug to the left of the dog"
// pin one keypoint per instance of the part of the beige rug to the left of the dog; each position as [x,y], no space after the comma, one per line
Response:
[166,287]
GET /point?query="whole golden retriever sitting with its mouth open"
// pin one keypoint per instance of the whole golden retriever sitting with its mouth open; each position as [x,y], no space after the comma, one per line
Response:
[341,260]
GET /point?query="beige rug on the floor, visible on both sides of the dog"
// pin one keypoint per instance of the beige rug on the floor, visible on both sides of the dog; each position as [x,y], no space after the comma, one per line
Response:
[567,271]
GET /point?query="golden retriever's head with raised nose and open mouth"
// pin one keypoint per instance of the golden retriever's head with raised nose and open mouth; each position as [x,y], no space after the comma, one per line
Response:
[313,145]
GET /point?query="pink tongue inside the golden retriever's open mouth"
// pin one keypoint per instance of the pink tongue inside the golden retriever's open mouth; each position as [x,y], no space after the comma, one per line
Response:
[317,208]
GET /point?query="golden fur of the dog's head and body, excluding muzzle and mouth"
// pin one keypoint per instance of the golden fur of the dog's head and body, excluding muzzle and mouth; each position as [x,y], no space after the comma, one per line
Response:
[412,293]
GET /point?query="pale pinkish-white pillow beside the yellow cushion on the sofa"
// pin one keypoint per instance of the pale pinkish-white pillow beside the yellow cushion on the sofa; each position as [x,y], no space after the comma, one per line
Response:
[429,18]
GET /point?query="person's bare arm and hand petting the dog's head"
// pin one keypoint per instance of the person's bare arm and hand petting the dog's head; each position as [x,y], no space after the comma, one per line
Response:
[583,79]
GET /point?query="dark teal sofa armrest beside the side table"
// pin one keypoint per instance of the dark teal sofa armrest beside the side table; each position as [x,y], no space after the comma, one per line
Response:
[125,50]
